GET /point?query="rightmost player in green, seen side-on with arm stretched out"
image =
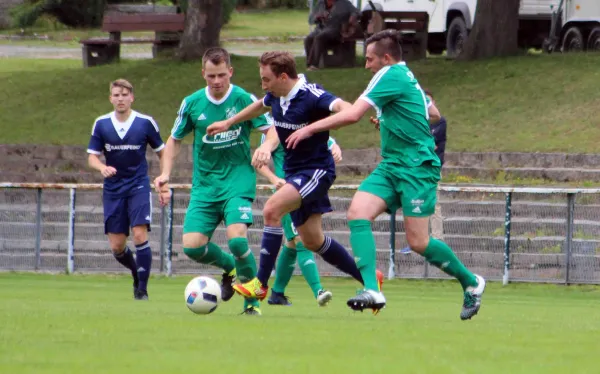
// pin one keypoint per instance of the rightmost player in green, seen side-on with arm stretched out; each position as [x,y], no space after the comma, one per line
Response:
[407,176]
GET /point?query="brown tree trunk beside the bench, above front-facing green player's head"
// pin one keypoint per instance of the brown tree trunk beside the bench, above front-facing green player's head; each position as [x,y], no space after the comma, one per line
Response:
[202,28]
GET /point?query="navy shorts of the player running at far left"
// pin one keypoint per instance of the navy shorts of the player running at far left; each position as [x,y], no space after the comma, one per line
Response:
[121,213]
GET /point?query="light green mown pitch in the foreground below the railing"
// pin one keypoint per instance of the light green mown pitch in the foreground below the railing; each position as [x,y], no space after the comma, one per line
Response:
[90,324]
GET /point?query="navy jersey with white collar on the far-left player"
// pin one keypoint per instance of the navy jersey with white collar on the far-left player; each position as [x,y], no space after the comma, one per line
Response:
[124,147]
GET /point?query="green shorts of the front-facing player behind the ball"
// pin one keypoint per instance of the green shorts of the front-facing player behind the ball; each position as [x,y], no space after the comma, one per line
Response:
[204,217]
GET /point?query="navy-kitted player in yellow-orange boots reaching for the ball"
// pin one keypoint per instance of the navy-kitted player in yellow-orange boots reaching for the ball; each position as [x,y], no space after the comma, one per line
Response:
[309,169]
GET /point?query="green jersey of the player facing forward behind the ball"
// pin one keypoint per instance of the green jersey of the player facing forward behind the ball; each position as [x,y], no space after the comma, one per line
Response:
[222,163]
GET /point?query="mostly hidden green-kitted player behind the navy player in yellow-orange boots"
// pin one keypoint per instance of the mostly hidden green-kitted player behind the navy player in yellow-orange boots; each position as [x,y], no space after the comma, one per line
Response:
[293,249]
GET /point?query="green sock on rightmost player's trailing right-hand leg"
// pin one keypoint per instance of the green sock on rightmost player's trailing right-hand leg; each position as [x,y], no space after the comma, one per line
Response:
[440,255]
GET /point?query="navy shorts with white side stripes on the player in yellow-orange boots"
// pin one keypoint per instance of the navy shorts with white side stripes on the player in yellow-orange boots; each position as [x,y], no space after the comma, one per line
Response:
[313,185]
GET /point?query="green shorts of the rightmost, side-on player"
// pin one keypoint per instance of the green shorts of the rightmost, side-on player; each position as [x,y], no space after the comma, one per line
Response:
[412,188]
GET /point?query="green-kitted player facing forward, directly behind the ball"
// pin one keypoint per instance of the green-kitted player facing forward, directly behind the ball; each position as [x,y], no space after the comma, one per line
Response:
[224,180]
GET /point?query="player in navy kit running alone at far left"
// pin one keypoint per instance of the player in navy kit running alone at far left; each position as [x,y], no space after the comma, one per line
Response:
[122,136]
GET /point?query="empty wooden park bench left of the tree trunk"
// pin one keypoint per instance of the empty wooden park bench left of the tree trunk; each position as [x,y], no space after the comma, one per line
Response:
[167,30]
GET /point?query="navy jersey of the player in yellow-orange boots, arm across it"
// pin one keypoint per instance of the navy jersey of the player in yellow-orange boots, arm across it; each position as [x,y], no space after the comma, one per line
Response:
[305,103]
